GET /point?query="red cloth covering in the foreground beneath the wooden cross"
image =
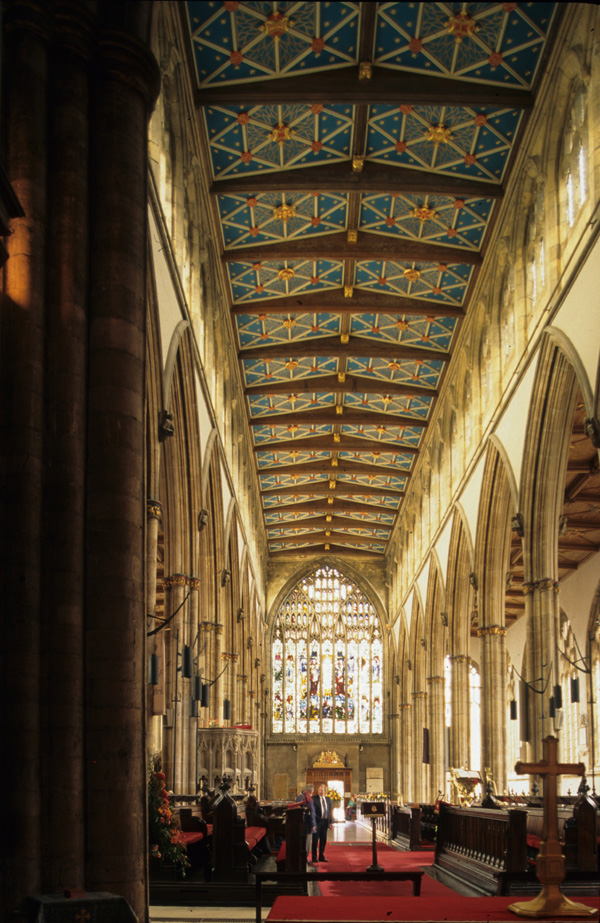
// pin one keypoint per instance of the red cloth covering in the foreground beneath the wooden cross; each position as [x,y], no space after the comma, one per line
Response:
[407,910]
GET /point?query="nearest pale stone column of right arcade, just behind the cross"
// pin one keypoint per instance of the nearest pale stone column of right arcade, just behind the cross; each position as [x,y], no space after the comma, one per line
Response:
[541,606]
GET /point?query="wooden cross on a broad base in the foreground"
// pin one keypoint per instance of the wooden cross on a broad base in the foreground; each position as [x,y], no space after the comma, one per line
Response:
[550,863]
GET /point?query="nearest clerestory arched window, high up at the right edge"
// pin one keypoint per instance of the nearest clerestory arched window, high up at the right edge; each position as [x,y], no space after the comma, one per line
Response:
[575,155]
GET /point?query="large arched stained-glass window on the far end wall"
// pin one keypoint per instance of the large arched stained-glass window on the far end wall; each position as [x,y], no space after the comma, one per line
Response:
[327,659]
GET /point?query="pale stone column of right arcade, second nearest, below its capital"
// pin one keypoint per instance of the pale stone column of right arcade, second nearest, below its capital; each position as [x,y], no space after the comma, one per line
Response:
[493,702]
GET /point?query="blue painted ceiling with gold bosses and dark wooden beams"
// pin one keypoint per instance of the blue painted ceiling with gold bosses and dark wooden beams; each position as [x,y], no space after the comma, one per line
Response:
[359,153]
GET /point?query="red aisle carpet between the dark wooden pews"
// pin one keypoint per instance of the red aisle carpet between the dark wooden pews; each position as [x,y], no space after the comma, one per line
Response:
[356,858]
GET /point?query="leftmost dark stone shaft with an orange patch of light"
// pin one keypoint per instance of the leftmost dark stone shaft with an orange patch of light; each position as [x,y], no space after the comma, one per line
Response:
[24,99]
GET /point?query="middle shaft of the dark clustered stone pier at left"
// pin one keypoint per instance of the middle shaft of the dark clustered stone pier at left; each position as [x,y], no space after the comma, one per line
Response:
[65,451]
